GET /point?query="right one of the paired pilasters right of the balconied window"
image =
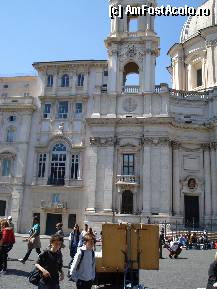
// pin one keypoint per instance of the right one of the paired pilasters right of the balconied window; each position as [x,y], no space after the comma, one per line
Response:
[166,176]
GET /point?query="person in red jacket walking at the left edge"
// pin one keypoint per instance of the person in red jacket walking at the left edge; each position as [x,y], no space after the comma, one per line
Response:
[7,241]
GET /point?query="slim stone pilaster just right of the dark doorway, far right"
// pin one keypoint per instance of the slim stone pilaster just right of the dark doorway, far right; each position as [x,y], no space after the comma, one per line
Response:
[207,186]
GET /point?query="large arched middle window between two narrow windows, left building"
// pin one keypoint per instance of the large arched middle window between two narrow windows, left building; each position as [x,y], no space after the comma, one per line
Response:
[58,165]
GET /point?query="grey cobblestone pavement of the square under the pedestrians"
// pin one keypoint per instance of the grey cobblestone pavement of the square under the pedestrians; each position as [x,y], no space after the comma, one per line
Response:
[189,271]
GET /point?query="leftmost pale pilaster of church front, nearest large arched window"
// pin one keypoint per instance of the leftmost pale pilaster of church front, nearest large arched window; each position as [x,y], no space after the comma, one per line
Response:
[91,169]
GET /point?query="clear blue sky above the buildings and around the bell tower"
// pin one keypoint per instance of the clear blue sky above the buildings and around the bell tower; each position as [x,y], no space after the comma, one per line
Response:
[45,30]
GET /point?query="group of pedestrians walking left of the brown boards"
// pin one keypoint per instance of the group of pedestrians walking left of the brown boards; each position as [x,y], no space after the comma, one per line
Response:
[49,266]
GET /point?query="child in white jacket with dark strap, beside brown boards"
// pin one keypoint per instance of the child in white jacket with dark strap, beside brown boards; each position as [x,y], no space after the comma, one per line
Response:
[83,266]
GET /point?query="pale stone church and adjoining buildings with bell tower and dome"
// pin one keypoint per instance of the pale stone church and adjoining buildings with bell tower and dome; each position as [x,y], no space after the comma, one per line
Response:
[79,143]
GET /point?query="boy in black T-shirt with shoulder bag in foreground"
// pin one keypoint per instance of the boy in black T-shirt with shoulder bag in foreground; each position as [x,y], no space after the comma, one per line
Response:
[50,264]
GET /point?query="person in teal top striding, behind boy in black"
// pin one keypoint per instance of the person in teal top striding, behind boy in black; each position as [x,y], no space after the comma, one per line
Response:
[33,242]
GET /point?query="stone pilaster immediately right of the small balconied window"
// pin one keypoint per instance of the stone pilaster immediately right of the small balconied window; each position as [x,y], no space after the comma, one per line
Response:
[147,177]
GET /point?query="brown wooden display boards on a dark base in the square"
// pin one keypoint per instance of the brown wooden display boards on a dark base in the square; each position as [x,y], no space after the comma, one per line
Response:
[126,248]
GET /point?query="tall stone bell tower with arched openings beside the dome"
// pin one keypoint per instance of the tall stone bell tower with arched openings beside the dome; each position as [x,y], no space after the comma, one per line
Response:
[133,47]
